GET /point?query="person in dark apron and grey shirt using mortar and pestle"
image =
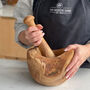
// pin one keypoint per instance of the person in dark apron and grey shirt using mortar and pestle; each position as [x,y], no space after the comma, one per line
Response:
[63,24]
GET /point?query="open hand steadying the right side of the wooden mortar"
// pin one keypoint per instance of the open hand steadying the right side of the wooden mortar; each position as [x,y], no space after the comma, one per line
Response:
[82,52]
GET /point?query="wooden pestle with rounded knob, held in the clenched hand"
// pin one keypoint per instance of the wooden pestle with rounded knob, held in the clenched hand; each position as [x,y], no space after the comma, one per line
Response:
[44,47]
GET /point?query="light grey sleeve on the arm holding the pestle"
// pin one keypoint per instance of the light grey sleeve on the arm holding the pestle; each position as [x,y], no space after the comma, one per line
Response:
[22,9]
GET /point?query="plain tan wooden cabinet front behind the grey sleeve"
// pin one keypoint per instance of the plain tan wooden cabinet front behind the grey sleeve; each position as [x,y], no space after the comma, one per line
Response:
[8,46]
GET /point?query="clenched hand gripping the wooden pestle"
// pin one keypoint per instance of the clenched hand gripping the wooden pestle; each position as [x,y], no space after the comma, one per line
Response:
[34,35]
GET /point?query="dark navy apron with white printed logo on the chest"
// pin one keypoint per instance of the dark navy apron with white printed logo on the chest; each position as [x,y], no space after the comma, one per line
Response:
[65,21]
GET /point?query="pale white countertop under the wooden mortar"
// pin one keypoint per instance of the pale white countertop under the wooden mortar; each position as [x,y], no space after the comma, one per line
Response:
[14,75]
